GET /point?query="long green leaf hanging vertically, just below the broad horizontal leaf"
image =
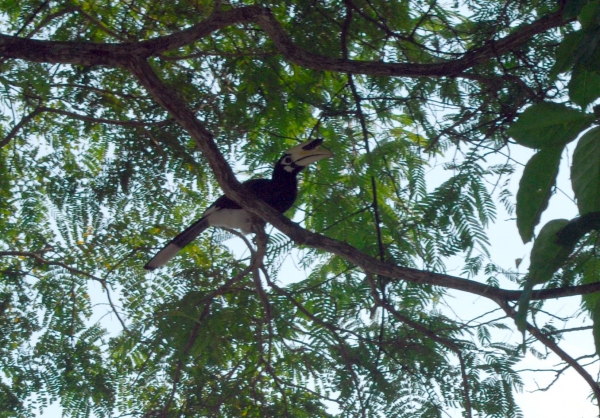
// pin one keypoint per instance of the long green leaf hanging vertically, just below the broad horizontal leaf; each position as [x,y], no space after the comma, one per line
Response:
[535,189]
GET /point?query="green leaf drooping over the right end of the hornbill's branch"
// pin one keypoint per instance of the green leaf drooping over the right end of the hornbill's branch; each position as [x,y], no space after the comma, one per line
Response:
[547,256]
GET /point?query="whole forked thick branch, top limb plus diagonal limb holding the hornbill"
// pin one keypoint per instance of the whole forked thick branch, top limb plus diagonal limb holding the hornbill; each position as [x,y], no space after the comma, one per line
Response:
[133,57]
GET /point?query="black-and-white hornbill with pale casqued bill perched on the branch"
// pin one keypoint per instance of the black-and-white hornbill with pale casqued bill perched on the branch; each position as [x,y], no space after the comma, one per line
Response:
[280,192]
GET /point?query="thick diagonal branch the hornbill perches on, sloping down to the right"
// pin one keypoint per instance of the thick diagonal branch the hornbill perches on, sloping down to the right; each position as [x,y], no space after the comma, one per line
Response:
[167,98]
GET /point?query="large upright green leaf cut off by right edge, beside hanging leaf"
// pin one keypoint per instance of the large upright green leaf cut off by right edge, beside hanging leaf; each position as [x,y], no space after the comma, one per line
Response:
[585,172]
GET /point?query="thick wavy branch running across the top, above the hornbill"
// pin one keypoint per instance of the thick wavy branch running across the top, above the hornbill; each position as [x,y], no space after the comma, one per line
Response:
[119,54]
